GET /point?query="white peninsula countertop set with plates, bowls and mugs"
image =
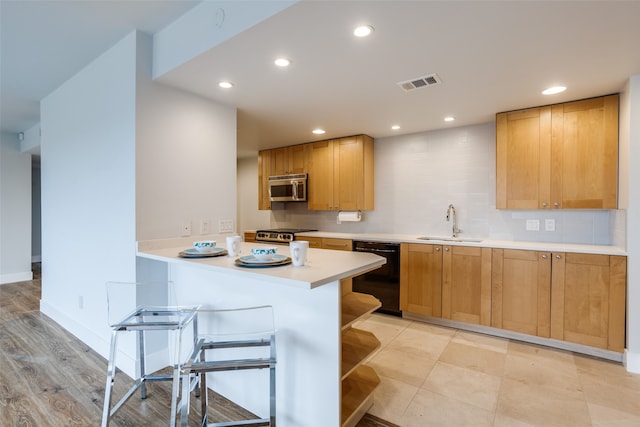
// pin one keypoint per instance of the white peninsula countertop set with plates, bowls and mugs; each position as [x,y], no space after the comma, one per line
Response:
[323,266]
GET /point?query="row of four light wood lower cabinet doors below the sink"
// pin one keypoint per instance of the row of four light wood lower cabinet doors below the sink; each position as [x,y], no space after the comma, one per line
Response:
[573,297]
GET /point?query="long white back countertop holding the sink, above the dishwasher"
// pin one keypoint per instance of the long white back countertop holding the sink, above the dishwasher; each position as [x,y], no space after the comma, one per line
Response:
[504,244]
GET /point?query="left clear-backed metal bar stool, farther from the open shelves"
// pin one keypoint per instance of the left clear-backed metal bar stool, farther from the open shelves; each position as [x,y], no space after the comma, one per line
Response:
[143,308]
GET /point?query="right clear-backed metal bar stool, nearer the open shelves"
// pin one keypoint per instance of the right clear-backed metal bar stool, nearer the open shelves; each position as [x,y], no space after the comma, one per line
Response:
[231,340]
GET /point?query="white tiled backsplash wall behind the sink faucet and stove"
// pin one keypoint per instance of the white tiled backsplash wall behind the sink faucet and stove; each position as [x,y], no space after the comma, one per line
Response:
[418,175]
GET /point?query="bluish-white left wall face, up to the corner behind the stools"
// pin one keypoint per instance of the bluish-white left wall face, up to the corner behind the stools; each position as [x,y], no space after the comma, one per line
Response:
[88,191]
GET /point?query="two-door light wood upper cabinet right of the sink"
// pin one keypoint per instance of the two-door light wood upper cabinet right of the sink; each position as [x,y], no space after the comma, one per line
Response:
[563,156]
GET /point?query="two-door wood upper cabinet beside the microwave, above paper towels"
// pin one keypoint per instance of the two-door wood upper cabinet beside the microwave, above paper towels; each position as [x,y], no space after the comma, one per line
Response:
[341,174]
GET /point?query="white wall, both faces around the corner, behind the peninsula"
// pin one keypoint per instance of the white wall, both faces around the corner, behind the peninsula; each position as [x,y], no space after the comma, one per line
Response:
[123,159]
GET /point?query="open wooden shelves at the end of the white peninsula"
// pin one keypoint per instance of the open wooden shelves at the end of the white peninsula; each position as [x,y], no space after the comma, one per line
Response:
[358,380]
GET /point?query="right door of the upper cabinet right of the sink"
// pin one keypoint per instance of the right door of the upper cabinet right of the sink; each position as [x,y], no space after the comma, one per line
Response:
[584,167]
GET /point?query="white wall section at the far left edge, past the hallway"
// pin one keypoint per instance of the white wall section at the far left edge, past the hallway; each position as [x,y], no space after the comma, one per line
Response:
[15,211]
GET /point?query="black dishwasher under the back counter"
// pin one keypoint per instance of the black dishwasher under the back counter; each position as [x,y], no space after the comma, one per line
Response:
[384,282]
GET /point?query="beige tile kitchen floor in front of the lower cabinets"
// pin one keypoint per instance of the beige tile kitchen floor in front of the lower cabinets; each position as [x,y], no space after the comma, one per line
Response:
[436,376]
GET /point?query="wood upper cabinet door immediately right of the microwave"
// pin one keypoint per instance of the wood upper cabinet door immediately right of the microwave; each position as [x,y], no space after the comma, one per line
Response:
[321,176]
